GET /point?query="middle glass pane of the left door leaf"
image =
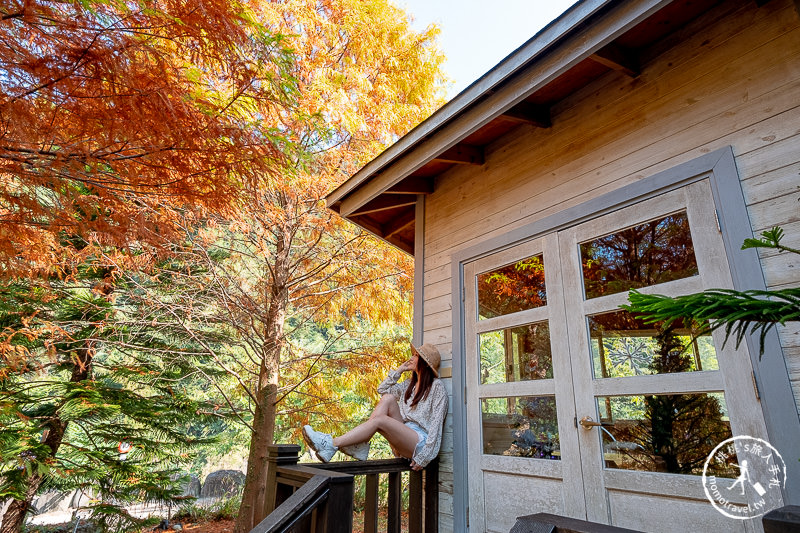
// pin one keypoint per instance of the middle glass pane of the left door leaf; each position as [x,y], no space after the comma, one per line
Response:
[516,354]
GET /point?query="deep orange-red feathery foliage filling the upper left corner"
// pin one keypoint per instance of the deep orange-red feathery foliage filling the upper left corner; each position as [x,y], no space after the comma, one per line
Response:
[112,114]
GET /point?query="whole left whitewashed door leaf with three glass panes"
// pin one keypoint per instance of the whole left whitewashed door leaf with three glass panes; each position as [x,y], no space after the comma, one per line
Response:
[523,448]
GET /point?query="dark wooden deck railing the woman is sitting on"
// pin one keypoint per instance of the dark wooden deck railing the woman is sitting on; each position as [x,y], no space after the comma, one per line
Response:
[318,497]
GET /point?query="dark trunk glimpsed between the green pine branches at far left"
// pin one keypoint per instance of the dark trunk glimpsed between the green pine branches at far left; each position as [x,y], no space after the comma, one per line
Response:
[14,517]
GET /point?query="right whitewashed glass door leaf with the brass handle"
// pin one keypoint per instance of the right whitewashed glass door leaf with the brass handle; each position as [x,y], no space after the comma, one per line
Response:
[653,400]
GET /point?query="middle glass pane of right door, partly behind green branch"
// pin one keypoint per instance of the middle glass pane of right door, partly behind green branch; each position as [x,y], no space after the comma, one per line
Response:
[623,345]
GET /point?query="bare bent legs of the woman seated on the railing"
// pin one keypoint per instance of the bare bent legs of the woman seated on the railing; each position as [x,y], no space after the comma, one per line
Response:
[386,420]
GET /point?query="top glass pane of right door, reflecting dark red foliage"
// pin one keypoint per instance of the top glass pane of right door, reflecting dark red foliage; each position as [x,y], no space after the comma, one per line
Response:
[655,252]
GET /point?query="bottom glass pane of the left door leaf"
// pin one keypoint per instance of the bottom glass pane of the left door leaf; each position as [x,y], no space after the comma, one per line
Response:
[521,427]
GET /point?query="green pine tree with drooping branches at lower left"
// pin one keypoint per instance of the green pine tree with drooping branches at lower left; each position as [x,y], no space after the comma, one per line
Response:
[94,368]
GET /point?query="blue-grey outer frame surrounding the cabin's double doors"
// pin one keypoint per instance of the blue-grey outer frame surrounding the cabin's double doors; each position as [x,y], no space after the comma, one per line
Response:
[719,167]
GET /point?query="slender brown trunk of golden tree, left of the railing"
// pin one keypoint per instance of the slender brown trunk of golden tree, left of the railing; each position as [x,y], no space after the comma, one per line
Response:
[253,507]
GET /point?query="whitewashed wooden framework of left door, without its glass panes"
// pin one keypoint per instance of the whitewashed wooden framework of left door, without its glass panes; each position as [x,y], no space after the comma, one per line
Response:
[559,387]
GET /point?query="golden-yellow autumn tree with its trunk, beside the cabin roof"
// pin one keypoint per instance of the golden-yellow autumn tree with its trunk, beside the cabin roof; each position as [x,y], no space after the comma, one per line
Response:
[364,78]
